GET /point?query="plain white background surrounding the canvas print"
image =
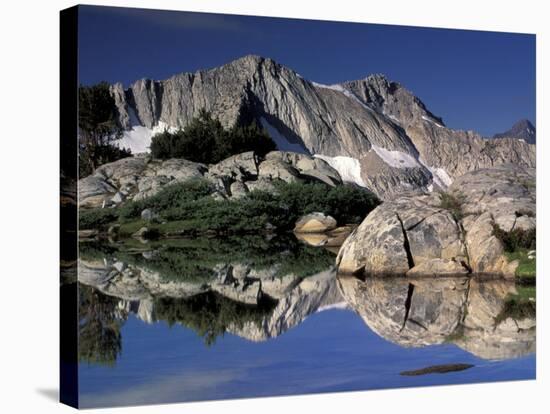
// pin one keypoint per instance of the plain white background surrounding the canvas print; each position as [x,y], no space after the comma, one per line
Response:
[29,204]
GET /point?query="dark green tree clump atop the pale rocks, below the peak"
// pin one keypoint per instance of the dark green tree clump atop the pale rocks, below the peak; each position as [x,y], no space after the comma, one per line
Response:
[205,140]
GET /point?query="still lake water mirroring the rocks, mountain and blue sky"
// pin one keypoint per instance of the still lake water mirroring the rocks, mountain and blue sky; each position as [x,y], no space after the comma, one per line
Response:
[203,319]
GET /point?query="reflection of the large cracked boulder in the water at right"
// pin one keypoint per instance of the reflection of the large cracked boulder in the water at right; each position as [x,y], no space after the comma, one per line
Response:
[421,312]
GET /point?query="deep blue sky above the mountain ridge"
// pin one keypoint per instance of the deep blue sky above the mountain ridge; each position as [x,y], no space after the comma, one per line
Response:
[483,81]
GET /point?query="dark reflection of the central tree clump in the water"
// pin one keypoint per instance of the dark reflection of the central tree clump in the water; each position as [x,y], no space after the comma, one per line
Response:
[210,314]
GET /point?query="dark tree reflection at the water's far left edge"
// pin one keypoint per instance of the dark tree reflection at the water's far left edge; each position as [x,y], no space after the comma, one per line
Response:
[99,337]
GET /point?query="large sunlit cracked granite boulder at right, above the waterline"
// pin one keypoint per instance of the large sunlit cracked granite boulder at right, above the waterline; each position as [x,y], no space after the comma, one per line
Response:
[420,235]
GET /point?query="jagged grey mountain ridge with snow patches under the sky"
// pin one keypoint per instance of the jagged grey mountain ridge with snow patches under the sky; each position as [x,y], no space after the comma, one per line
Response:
[359,120]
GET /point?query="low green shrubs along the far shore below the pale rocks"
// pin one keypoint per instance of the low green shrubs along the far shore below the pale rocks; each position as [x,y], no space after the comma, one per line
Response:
[189,208]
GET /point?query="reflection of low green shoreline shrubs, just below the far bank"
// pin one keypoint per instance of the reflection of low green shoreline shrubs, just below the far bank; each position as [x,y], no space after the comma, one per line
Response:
[195,260]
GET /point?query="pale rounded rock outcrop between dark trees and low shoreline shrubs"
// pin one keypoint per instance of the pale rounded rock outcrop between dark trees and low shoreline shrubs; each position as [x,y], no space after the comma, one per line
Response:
[136,178]
